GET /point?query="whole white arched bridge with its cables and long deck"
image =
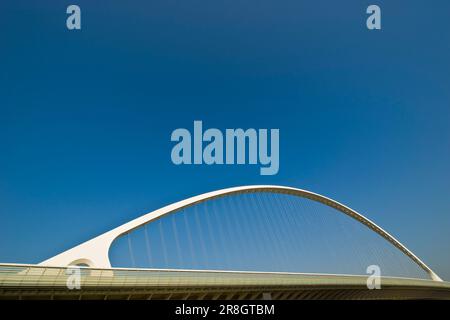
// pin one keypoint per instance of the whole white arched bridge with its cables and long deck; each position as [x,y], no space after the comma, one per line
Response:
[249,242]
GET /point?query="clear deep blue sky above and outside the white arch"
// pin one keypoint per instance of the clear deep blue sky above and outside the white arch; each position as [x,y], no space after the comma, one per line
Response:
[86,116]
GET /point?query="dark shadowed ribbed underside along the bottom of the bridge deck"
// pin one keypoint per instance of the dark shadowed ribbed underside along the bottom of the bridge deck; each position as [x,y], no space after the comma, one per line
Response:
[225,293]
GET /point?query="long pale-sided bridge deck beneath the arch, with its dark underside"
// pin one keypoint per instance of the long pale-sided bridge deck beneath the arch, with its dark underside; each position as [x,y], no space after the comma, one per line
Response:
[36,282]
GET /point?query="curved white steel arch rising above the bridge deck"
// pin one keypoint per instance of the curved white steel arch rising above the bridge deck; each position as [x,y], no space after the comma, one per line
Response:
[96,250]
